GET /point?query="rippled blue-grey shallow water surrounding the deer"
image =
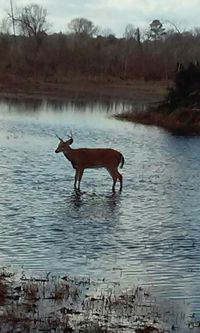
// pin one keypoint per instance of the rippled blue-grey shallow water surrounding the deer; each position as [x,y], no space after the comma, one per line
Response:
[148,234]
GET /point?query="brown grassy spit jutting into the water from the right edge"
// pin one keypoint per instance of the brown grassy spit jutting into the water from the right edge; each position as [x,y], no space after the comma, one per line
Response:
[183,121]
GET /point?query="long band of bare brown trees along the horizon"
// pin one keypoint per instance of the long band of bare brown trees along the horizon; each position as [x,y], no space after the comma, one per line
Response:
[30,50]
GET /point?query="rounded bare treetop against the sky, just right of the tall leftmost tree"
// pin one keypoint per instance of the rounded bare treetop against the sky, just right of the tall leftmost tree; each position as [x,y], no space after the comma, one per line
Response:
[83,27]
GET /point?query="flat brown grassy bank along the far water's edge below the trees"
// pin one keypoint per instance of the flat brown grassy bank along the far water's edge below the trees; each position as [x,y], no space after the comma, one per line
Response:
[82,88]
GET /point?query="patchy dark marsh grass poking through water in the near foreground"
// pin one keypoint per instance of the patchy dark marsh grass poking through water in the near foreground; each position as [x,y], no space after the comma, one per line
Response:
[65,305]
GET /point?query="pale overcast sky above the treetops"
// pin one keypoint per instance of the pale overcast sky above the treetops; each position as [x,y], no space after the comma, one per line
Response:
[115,14]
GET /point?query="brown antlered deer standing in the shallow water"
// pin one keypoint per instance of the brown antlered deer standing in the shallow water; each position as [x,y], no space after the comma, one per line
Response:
[89,158]
